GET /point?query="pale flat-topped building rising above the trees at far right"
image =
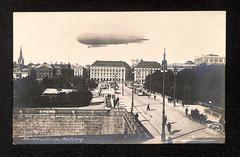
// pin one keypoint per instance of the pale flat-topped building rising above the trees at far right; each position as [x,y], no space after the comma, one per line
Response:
[209,59]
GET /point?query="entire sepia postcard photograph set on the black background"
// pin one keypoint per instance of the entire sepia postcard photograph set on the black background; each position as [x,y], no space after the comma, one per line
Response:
[139,77]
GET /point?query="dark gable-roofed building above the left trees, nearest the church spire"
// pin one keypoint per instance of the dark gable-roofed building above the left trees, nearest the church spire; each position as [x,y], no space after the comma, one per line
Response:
[43,70]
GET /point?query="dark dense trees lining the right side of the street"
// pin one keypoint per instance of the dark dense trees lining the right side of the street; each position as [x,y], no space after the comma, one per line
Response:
[203,83]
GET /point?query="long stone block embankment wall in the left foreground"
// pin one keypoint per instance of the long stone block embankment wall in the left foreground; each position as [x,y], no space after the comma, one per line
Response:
[62,122]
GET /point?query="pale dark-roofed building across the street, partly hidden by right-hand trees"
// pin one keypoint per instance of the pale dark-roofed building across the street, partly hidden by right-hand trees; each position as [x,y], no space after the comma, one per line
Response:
[144,68]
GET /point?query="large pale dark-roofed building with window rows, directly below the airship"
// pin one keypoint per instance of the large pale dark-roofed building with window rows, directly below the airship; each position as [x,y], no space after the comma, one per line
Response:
[109,70]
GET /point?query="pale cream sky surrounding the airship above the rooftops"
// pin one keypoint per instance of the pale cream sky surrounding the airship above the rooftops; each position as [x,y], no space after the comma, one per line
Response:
[52,36]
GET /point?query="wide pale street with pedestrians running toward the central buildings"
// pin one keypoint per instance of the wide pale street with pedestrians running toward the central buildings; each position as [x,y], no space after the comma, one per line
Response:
[183,129]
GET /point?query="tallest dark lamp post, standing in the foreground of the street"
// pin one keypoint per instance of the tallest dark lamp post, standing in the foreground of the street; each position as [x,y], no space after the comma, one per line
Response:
[164,67]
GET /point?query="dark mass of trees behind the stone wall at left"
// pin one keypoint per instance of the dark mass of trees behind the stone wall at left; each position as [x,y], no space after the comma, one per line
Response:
[28,91]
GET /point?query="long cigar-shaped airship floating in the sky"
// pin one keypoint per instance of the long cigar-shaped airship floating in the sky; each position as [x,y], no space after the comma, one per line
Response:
[101,40]
